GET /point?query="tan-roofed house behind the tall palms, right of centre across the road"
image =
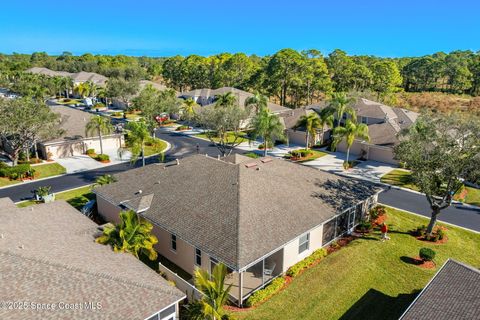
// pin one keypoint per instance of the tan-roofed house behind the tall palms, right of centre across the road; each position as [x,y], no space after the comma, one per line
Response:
[384,125]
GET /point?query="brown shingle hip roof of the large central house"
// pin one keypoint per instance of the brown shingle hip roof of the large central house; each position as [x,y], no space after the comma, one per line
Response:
[237,212]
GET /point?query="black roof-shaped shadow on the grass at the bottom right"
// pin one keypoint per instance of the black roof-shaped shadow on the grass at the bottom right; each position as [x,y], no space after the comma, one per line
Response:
[376,305]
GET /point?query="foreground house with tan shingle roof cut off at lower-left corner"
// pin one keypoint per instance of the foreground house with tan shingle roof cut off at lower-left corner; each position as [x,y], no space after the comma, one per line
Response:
[50,263]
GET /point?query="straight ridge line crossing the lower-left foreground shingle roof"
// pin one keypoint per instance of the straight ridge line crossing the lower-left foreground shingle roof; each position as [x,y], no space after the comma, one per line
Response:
[79,270]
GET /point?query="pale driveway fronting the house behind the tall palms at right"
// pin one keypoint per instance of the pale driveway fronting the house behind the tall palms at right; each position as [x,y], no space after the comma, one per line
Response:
[369,170]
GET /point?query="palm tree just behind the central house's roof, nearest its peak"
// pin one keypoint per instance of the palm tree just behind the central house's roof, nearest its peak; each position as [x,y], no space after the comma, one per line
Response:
[267,126]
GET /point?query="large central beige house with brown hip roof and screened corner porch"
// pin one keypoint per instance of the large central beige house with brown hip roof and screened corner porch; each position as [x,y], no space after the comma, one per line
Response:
[257,216]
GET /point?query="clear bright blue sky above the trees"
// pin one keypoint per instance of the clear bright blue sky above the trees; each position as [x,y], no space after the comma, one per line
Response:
[165,27]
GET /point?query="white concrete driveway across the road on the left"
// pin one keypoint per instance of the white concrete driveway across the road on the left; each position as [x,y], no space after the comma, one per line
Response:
[83,162]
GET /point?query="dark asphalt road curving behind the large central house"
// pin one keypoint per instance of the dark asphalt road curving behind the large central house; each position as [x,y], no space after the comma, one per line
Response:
[184,145]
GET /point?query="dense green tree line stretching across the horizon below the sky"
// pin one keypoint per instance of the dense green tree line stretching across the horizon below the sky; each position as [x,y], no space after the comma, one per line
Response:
[289,77]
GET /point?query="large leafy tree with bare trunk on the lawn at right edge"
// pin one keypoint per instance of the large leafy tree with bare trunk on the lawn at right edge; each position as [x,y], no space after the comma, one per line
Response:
[441,151]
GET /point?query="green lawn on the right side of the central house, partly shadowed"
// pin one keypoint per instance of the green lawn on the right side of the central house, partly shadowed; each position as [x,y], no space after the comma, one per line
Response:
[368,279]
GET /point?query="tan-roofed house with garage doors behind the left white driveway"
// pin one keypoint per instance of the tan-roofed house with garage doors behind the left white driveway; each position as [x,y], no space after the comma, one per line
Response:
[73,140]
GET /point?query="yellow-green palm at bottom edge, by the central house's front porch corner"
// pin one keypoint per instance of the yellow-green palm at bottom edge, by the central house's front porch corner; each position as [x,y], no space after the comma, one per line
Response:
[215,295]
